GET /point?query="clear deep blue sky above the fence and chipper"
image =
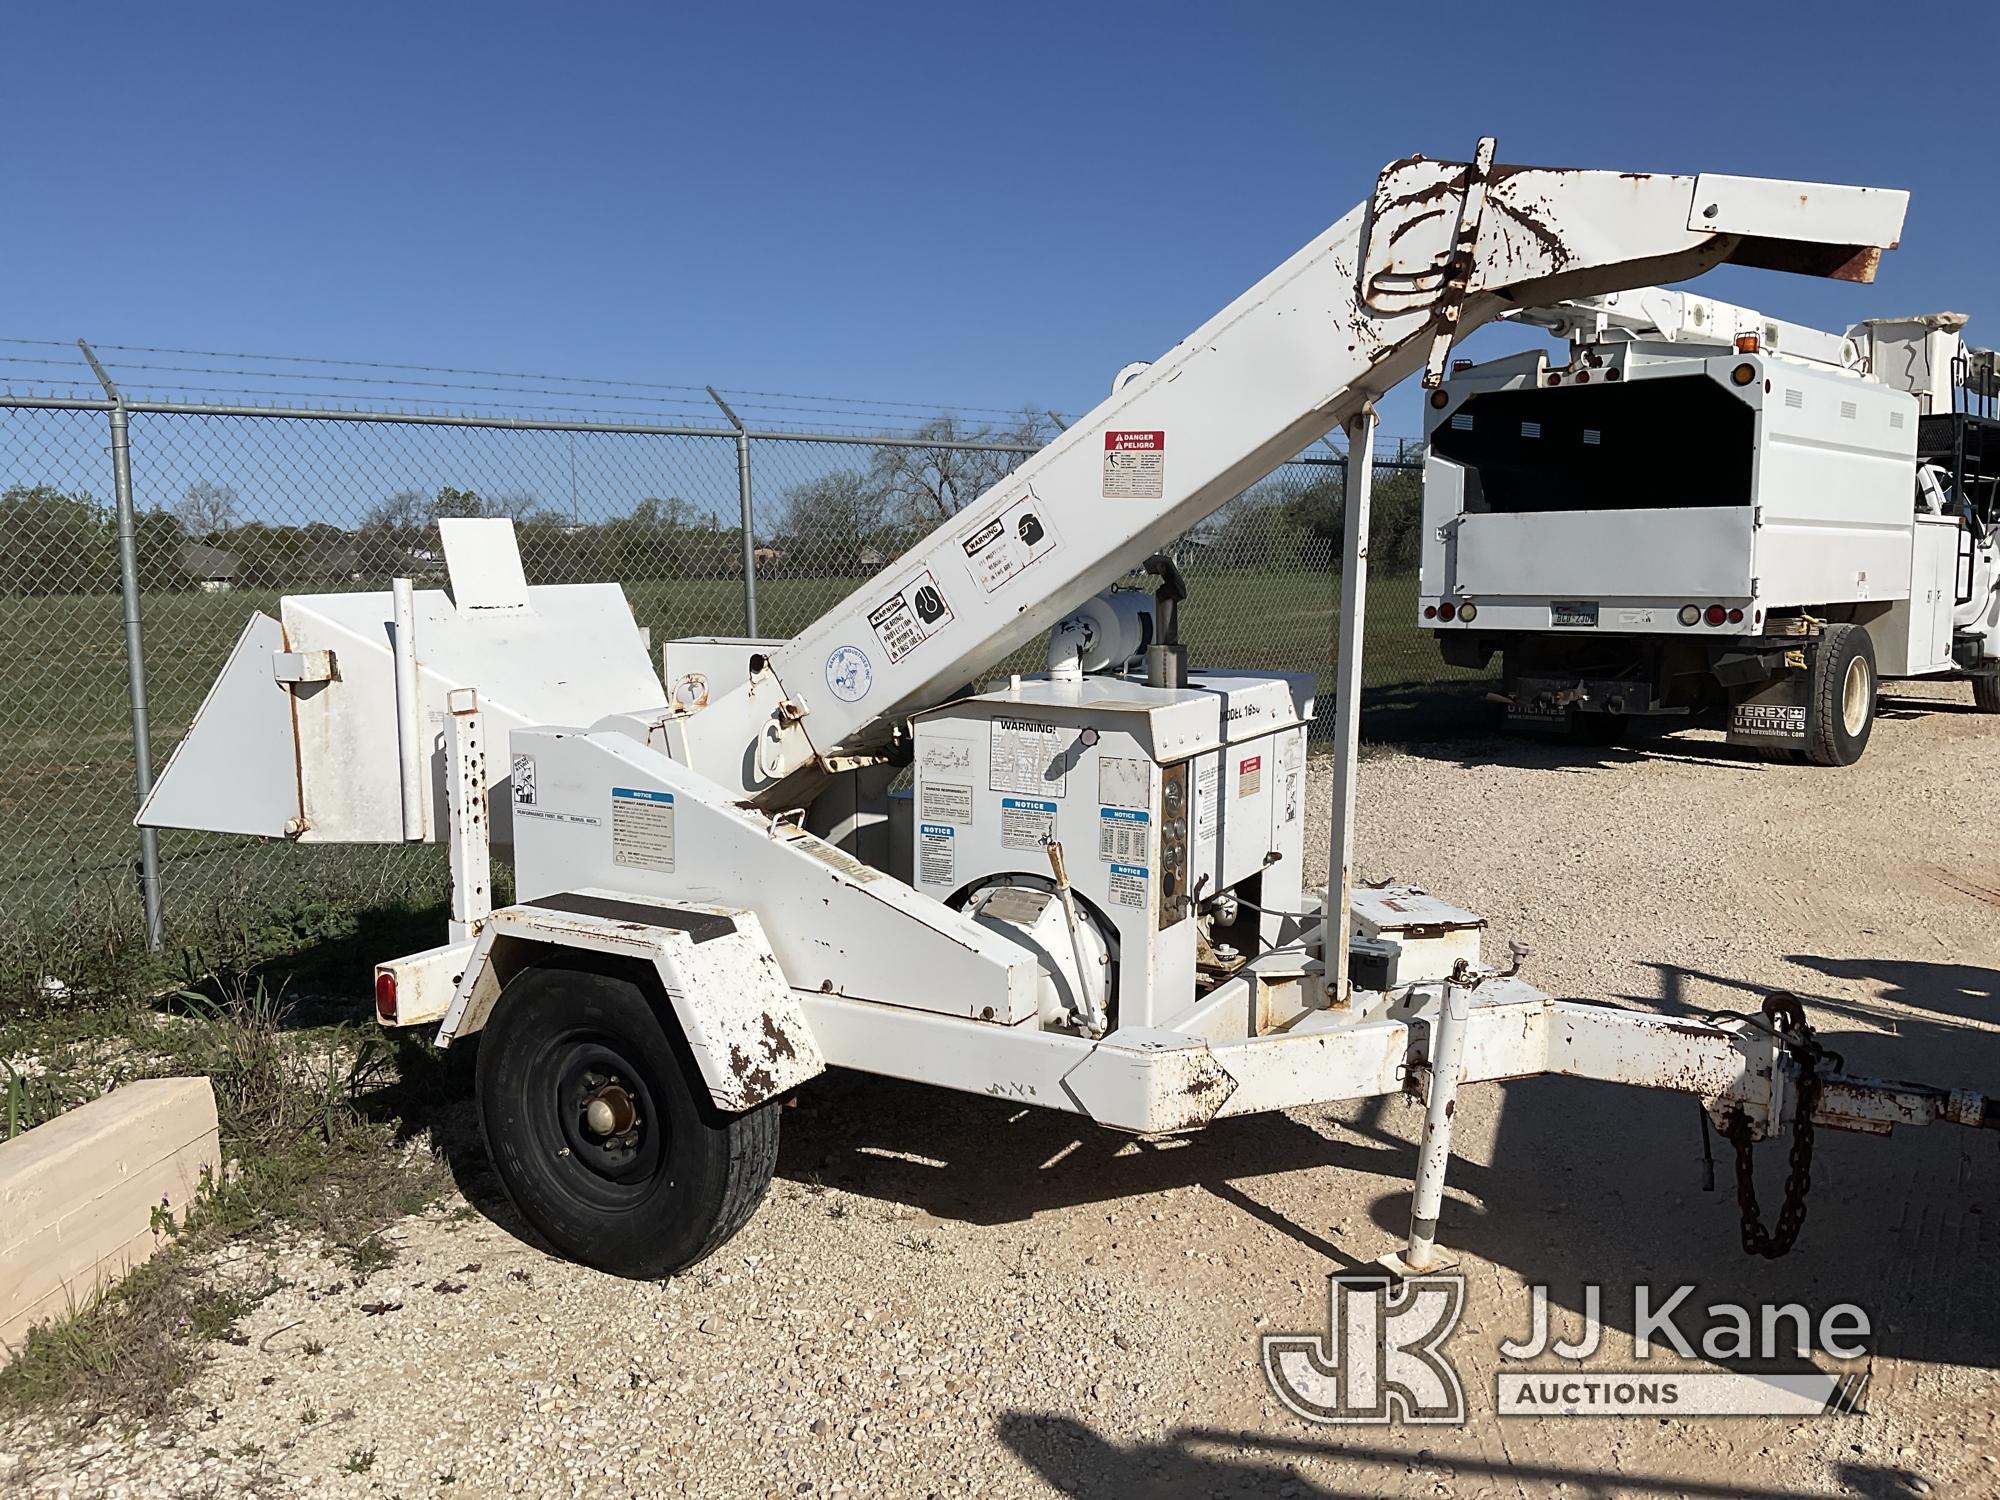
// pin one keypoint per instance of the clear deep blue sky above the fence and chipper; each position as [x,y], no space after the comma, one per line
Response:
[957,205]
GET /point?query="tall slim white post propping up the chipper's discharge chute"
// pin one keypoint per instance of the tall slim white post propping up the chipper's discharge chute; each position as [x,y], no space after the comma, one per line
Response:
[1349,695]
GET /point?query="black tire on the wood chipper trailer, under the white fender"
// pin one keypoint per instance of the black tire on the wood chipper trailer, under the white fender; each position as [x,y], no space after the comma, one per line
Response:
[653,1197]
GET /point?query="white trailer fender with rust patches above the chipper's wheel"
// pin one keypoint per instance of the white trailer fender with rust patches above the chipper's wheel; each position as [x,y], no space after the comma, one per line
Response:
[743,1023]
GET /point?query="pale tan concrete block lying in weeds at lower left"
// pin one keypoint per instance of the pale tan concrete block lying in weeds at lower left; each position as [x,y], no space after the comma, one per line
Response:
[77,1195]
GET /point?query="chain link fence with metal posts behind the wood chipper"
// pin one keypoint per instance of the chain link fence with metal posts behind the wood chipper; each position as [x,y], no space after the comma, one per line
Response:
[235,507]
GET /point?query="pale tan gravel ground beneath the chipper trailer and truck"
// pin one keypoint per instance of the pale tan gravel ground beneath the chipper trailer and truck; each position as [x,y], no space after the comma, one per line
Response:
[949,1297]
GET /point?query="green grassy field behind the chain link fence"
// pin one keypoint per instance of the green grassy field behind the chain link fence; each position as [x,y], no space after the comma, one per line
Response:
[65,731]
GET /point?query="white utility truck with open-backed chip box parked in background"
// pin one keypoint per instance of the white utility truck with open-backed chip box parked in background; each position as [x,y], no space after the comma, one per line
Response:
[1707,515]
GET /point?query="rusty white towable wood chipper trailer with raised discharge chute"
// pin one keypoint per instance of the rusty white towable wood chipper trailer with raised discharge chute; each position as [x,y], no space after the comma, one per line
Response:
[1083,889]
